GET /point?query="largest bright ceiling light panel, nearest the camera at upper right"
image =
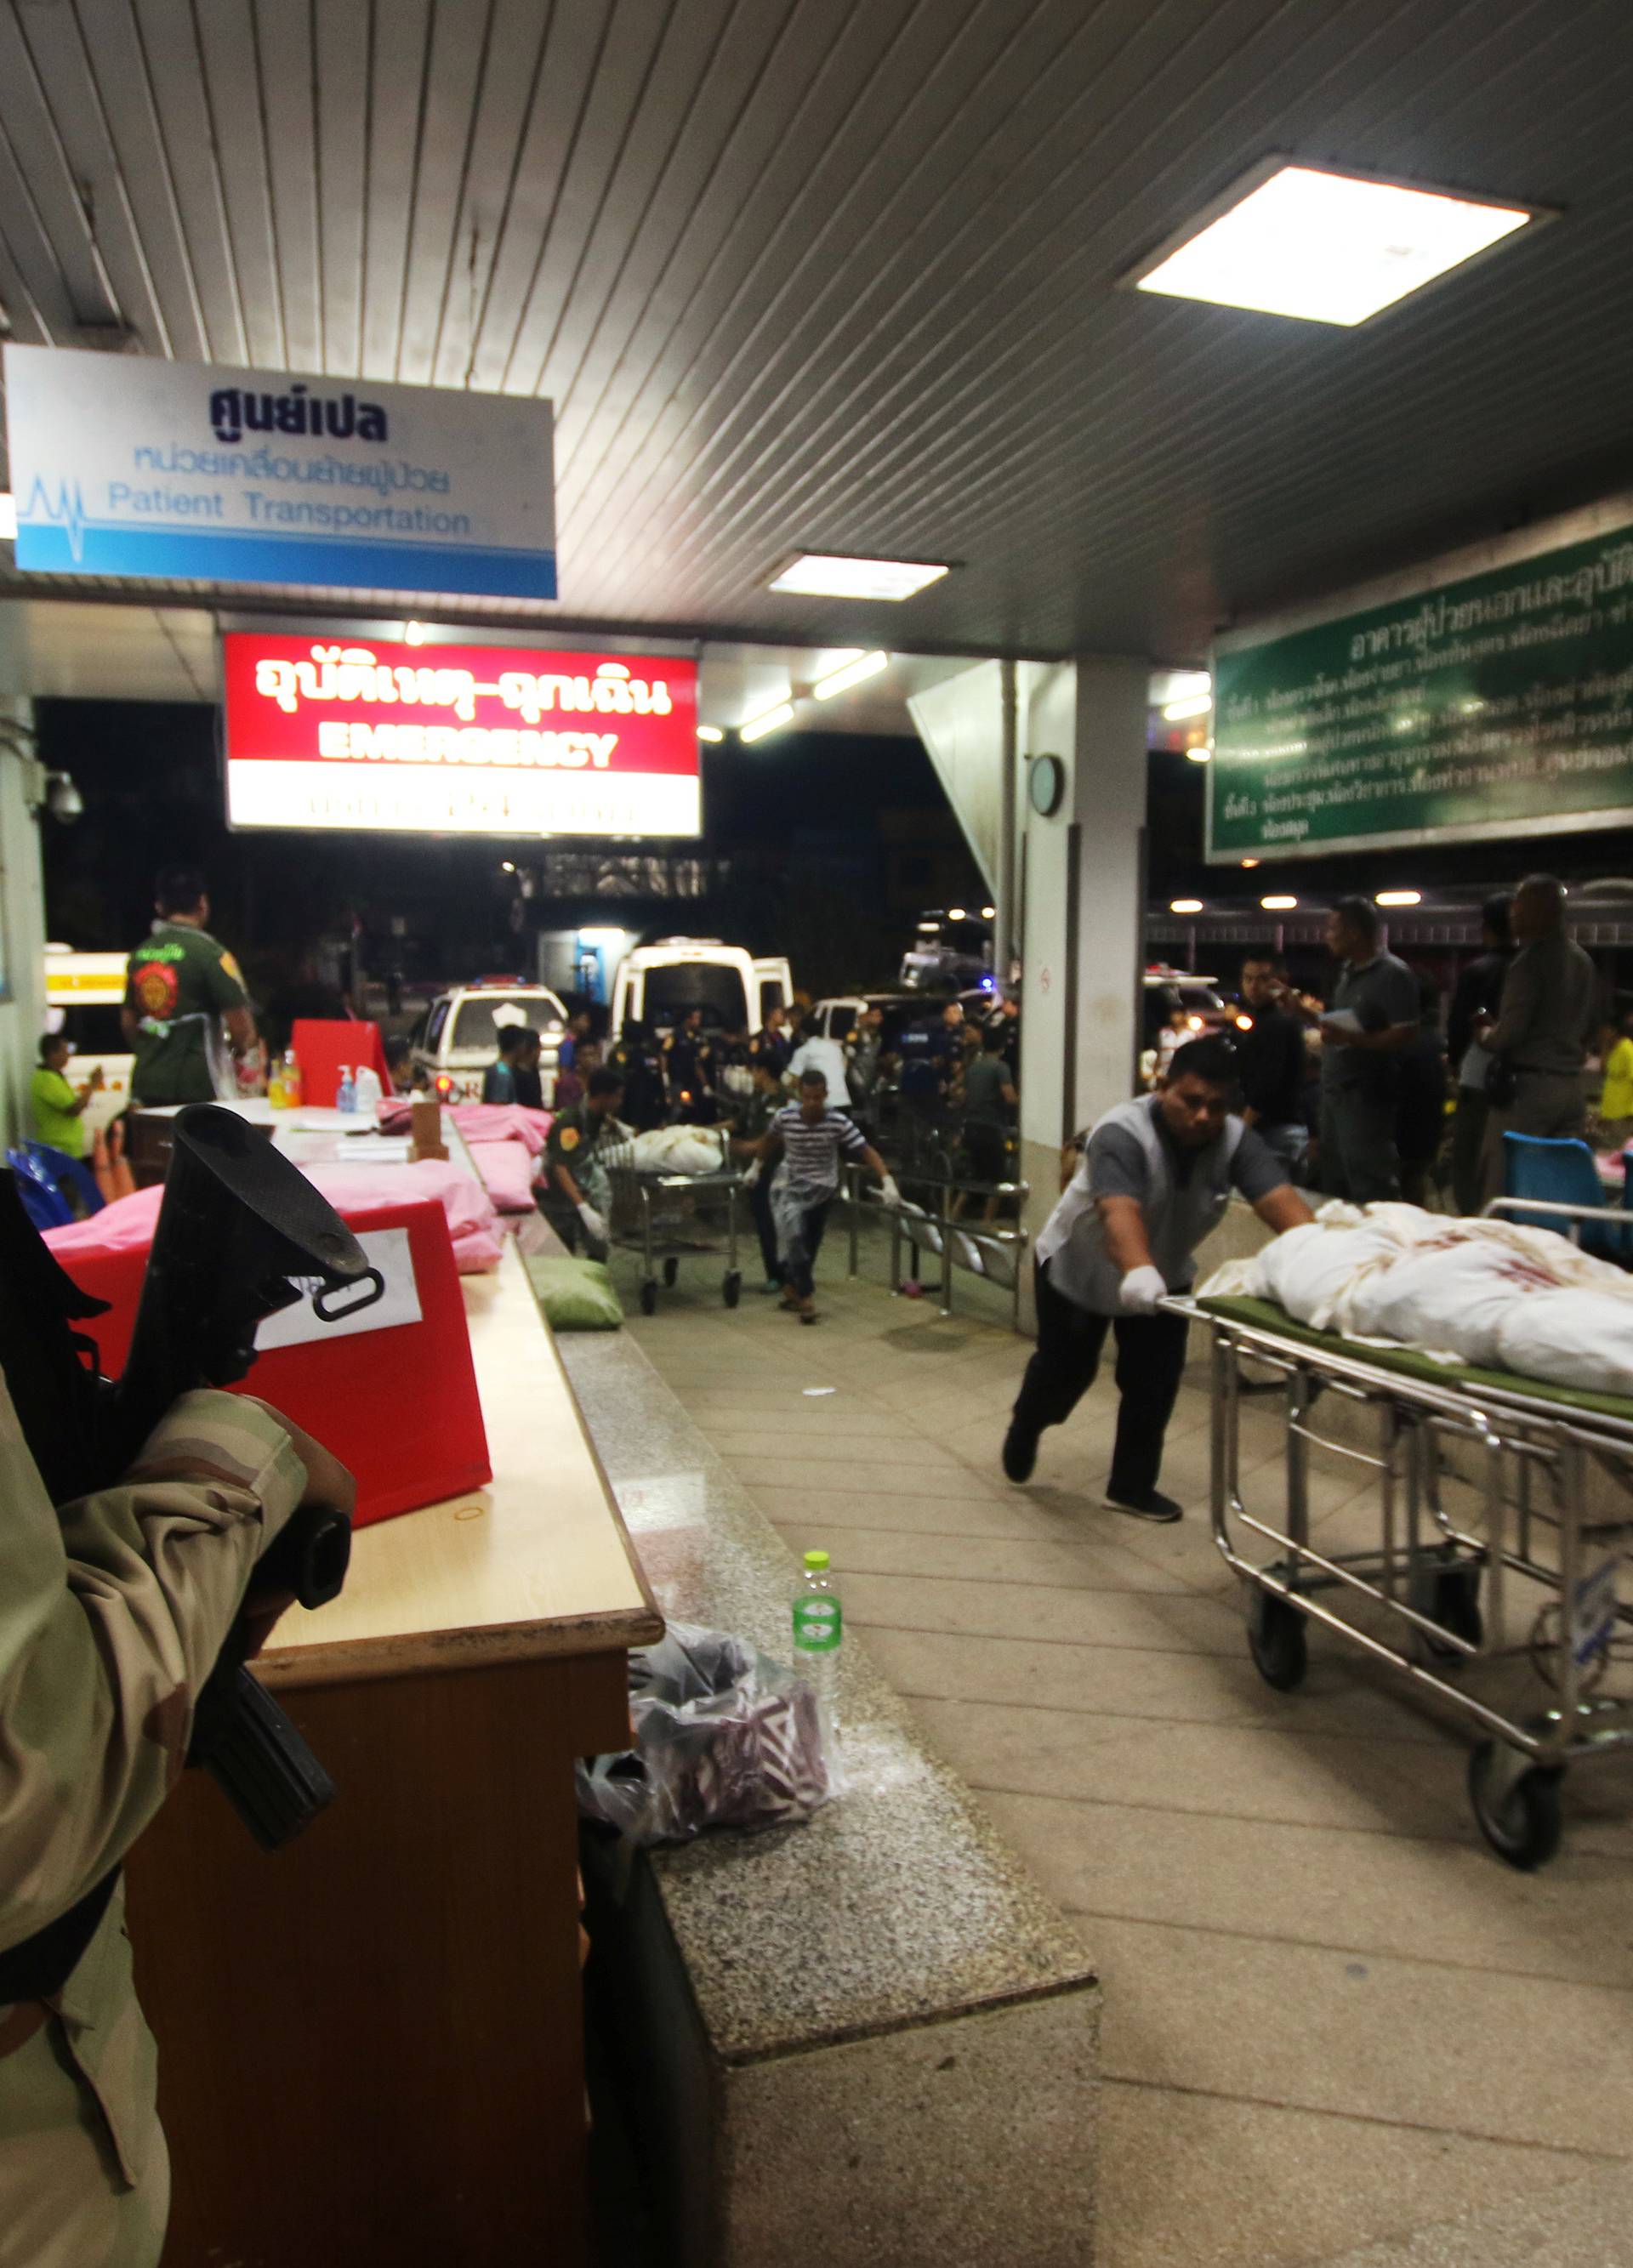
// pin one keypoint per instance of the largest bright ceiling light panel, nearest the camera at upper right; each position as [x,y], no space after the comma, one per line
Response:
[1326,246]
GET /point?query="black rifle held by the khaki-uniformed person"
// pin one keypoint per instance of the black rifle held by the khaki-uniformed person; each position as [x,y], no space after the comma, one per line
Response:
[242,1235]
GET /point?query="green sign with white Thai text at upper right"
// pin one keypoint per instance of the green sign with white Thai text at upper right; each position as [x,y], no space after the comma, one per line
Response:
[1491,706]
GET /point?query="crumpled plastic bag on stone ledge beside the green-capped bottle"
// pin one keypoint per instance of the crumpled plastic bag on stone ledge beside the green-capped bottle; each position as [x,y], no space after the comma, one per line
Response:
[725,1738]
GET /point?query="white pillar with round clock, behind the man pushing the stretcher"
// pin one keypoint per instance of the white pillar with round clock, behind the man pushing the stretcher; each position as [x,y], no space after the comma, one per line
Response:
[1083,906]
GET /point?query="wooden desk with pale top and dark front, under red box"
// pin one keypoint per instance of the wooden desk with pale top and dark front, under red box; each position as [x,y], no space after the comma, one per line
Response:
[371,2045]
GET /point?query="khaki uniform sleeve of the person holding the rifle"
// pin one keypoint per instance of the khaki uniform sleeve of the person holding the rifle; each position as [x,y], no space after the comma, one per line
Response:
[112,1614]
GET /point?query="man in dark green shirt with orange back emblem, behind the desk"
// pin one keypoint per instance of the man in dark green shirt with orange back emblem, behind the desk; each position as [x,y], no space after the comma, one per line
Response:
[183,988]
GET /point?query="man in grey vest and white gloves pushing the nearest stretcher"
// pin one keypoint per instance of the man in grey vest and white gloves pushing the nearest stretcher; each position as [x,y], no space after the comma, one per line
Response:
[1156,1178]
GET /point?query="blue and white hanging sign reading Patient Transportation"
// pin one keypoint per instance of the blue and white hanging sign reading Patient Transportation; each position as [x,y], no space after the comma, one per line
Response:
[126,466]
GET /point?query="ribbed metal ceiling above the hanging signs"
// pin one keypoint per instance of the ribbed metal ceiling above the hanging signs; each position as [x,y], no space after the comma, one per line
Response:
[840,276]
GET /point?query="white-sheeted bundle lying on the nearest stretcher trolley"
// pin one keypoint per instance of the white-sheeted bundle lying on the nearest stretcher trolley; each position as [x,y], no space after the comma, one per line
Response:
[1489,1294]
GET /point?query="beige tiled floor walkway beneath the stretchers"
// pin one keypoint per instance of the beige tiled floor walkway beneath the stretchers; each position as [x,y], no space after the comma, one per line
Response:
[1330,2015]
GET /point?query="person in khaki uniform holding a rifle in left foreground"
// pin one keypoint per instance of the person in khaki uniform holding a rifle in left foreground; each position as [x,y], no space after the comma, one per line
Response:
[112,1616]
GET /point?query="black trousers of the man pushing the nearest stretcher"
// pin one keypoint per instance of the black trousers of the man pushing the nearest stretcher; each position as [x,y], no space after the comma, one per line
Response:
[1149,1371]
